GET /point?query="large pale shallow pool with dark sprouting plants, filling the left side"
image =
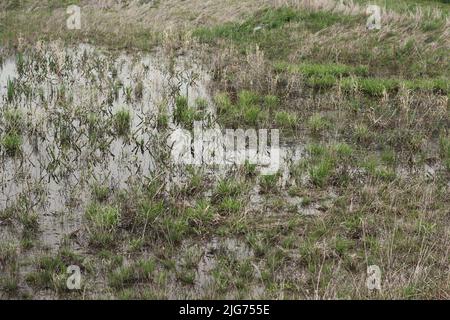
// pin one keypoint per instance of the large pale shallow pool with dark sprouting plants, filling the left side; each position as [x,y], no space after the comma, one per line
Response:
[58,90]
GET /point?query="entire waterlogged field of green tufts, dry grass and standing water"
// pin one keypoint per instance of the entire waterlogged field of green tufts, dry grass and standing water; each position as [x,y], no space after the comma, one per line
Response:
[87,178]
